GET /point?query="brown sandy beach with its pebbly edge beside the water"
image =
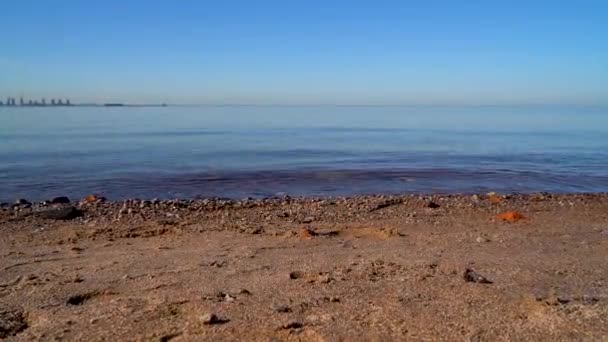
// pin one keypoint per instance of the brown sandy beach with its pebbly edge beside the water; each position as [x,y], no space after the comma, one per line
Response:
[360,268]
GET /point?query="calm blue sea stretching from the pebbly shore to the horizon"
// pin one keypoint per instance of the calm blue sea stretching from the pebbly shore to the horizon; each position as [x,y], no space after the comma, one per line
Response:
[260,151]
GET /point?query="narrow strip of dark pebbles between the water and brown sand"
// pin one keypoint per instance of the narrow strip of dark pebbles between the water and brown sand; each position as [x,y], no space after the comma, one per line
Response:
[93,203]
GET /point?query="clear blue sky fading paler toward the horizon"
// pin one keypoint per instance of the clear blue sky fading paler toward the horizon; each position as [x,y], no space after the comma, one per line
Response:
[307,52]
